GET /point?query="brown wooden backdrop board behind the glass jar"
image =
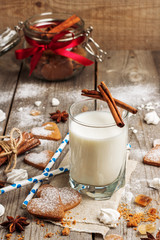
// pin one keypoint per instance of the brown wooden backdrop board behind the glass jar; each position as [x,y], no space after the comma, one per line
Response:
[117,24]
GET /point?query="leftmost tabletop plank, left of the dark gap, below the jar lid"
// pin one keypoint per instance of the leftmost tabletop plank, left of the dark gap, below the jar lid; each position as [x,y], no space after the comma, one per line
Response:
[9,70]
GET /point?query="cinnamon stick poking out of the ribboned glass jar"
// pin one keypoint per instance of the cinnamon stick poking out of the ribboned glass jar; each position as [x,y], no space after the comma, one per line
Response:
[66,24]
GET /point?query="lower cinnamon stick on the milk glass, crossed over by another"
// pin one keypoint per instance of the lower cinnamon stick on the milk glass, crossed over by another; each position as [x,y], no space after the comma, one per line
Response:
[97,95]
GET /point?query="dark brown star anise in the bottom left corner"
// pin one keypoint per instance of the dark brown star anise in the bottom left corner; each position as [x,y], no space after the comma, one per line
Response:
[16,224]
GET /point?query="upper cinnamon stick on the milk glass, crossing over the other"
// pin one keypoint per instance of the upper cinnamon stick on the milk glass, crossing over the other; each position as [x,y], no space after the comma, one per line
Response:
[112,108]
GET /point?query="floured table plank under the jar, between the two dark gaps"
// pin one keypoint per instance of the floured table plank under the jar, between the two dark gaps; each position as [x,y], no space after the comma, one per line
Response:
[28,91]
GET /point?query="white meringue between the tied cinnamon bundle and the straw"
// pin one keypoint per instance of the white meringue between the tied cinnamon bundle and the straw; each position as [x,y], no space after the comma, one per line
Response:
[17,175]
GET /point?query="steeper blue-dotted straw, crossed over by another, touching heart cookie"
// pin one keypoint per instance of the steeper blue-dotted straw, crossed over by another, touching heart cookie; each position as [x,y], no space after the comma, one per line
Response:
[47,169]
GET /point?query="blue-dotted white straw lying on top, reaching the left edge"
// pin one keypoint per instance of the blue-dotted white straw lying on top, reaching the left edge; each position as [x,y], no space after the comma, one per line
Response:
[34,179]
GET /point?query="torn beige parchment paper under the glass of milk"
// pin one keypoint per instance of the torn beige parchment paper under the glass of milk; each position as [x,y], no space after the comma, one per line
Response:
[85,214]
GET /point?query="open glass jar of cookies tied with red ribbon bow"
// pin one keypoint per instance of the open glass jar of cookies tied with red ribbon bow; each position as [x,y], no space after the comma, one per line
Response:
[56,56]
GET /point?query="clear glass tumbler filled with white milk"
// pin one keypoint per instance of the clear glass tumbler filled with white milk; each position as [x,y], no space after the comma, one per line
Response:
[97,149]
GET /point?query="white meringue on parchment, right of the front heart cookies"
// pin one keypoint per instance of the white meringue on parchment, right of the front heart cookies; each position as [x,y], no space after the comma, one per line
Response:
[109,216]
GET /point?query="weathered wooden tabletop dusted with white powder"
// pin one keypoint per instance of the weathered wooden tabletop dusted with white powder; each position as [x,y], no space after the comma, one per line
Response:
[132,76]
